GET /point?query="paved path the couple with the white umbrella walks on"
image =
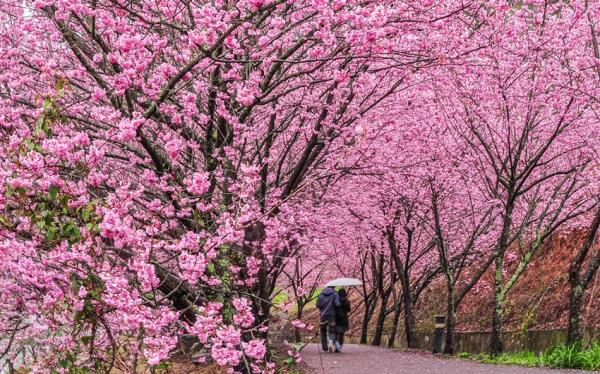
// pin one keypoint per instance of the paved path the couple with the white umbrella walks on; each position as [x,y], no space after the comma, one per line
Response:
[359,359]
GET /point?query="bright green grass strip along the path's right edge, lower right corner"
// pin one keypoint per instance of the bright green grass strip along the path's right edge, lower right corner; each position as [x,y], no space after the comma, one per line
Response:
[560,356]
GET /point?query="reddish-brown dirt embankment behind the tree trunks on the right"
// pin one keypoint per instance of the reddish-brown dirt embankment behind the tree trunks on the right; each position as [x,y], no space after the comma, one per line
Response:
[540,298]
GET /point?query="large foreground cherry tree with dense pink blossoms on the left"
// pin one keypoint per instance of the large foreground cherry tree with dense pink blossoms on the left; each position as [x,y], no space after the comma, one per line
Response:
[153,154]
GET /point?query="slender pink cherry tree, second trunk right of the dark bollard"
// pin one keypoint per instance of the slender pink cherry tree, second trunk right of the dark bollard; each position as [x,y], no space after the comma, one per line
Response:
[529,155]
